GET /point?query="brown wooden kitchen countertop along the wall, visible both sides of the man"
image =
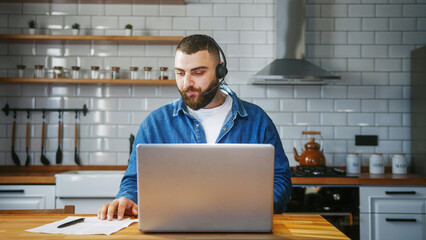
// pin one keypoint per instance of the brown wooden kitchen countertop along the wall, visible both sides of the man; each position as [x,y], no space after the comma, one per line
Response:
[46,175]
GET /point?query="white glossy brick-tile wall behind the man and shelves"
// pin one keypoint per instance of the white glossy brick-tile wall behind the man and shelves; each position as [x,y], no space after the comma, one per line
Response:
[367,42]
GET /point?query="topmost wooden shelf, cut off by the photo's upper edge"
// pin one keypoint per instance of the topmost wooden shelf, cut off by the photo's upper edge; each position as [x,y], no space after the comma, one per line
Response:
[174,2]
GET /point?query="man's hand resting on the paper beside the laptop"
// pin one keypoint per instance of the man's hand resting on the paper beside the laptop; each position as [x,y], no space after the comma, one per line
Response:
[120,207]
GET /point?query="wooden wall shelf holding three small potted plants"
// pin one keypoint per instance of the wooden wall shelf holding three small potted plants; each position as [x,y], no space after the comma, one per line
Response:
[87,39]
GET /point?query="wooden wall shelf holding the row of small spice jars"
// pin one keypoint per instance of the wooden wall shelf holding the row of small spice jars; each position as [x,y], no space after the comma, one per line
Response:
[88,81]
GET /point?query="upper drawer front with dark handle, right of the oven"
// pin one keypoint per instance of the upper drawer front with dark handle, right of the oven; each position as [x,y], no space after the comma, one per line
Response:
[392,199]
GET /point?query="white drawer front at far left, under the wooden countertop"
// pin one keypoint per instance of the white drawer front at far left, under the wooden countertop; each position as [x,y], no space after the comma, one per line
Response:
[27,196]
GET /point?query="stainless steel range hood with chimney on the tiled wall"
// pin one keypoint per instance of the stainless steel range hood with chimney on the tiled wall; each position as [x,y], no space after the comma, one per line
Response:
[291,67]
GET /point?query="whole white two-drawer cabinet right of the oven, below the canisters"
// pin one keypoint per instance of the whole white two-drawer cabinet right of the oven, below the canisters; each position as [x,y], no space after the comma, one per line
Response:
[392,213]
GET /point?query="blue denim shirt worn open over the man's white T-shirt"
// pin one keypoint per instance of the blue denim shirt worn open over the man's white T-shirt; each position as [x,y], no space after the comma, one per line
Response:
[246,123]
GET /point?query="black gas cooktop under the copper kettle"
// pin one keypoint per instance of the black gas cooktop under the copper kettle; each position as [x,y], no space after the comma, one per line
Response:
[319,171]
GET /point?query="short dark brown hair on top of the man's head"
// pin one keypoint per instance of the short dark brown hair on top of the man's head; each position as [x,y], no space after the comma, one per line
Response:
[194,43]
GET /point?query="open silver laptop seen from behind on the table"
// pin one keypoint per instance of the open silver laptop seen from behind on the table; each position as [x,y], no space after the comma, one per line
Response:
[205,187]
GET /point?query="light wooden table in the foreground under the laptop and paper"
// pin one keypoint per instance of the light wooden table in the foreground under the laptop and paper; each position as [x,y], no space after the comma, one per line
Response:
[288,226]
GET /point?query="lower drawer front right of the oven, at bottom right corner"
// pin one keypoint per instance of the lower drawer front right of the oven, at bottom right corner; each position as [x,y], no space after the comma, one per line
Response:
[392,226]
